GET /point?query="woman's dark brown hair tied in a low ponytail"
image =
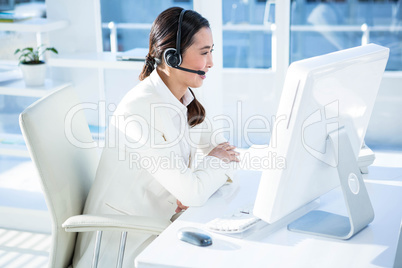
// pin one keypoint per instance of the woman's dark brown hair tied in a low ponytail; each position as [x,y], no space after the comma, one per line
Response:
[163,36]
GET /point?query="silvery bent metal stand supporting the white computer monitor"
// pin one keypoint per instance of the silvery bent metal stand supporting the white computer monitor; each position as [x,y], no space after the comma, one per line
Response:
[357,201]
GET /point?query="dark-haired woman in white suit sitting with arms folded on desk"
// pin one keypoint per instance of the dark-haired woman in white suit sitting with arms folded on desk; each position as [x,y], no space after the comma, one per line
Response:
[150,165]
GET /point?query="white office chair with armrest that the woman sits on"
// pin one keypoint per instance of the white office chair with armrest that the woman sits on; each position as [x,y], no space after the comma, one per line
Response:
[61,146]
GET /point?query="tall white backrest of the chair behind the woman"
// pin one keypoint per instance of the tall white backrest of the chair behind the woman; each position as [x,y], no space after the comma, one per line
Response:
[55,131]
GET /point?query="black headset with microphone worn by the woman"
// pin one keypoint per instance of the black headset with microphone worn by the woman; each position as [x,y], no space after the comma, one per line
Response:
[173,57]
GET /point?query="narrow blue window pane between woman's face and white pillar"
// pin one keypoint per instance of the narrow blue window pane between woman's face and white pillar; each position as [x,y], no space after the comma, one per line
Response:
[246,33]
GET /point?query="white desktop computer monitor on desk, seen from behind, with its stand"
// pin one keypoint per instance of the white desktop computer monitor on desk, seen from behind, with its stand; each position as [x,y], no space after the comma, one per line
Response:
[322,118]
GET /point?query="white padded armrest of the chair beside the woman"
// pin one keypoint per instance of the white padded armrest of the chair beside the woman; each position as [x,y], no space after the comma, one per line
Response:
[106,222]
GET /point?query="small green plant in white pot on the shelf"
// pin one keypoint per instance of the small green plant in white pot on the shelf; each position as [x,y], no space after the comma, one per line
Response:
[32,67]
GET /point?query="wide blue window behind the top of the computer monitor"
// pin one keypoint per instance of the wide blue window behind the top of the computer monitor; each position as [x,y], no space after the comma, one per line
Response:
[319,27]
